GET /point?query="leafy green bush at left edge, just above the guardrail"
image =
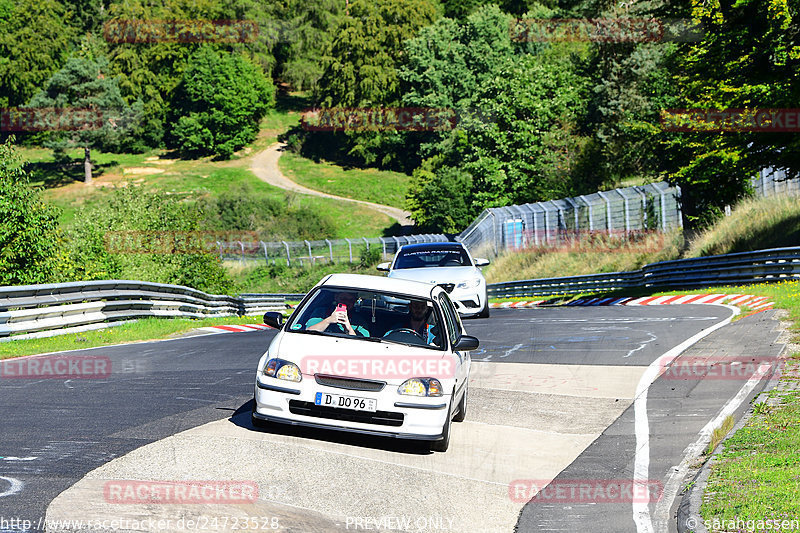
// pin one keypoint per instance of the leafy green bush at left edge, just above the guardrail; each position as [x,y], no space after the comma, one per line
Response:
[29,236]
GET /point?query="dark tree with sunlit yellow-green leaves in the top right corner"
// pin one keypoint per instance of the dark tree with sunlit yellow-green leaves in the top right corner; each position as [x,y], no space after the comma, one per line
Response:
[749,58]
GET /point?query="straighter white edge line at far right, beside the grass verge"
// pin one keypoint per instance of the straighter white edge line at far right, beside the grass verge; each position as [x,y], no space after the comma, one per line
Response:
[694,450]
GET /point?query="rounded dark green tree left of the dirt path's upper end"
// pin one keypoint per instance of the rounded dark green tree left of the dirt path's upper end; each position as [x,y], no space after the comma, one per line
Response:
[218,106]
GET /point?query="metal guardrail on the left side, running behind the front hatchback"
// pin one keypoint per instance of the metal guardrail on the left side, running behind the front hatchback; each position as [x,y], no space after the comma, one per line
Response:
[39,310]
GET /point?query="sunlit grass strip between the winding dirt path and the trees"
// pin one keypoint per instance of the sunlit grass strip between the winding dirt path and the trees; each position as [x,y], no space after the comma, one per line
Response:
[378,186]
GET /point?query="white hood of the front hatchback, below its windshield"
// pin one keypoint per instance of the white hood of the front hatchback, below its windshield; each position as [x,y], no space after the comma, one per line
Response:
[364,359]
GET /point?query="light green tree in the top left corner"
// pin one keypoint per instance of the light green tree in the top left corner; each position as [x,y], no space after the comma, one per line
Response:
[34,42]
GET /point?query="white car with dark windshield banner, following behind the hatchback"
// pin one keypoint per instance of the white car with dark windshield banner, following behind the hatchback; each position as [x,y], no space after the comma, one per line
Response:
[448,264]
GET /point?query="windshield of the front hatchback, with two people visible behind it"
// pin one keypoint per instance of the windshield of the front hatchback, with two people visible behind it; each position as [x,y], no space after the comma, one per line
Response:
[370,316]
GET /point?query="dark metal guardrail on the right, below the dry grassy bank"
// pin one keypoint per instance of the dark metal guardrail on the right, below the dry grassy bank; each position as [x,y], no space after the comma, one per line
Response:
[778,264]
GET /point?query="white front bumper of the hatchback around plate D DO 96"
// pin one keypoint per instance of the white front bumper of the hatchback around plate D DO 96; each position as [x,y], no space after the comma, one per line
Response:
[405,417]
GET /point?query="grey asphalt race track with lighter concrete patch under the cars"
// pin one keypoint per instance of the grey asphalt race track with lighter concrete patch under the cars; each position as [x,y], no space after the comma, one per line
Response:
[551,403]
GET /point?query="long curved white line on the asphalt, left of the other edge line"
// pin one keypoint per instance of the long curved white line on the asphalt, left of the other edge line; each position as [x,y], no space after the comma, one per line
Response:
[641,469]
